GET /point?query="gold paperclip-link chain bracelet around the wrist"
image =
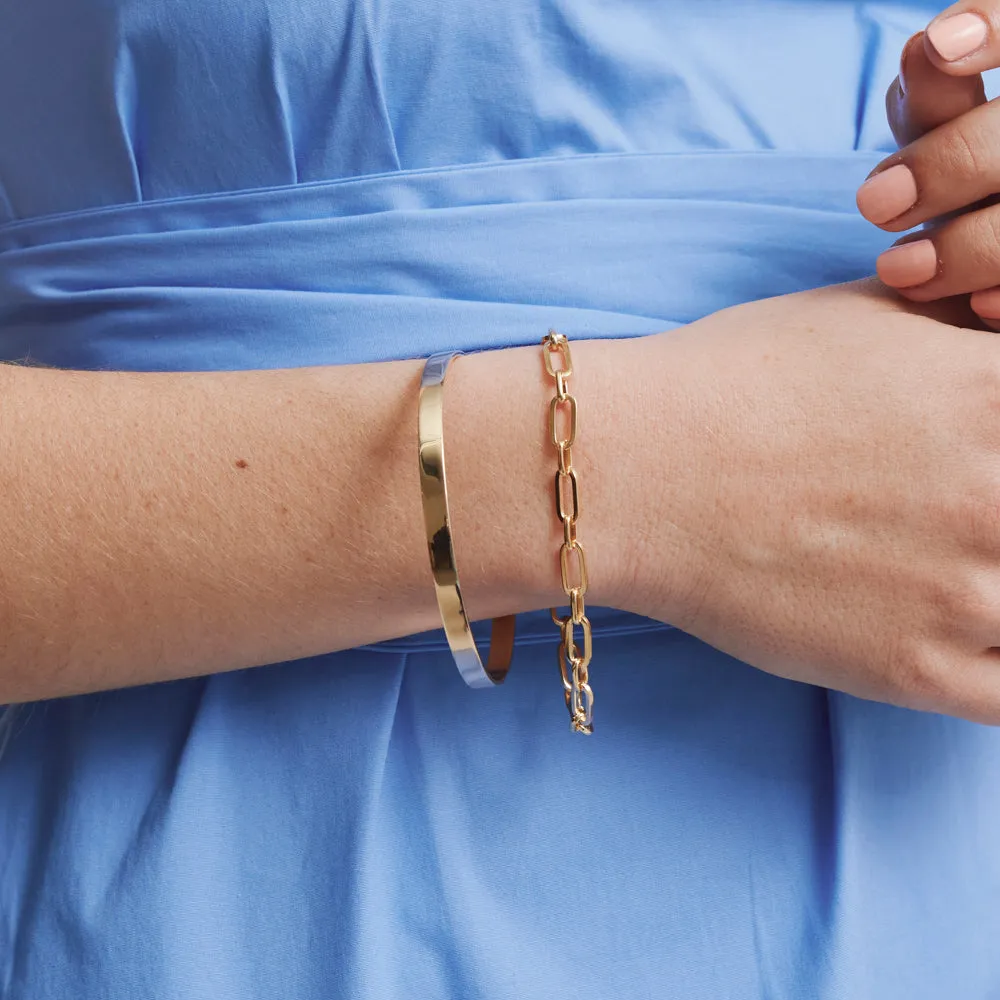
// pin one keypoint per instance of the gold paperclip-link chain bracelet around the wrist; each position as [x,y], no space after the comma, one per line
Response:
[573,665]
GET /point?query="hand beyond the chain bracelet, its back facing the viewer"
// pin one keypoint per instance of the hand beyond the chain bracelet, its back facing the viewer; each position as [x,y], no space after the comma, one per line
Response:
[825,499]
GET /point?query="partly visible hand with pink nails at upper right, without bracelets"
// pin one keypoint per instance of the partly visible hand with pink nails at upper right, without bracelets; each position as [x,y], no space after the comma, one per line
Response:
[951,164]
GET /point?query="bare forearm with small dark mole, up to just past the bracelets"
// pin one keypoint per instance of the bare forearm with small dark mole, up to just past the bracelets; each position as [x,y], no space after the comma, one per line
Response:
[163,525]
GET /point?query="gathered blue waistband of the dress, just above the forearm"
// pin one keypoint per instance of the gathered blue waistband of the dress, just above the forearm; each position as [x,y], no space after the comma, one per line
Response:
[407,263]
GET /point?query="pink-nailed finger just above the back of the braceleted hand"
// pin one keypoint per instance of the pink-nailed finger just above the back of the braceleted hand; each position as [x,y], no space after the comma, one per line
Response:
[955,258]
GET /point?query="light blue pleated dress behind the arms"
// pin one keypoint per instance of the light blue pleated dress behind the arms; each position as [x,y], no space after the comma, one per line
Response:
[229,184]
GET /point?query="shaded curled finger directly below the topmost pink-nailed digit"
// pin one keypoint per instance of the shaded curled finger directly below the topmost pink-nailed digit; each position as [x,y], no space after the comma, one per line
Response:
[922,97]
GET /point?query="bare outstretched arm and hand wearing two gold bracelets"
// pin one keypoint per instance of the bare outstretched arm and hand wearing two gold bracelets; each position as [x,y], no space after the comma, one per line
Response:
[811,483]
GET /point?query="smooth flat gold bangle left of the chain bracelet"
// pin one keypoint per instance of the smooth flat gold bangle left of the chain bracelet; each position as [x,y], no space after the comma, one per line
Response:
[437,521]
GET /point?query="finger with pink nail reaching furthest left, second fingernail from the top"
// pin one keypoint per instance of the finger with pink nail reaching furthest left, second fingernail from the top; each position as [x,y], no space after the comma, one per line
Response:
[956,165]
